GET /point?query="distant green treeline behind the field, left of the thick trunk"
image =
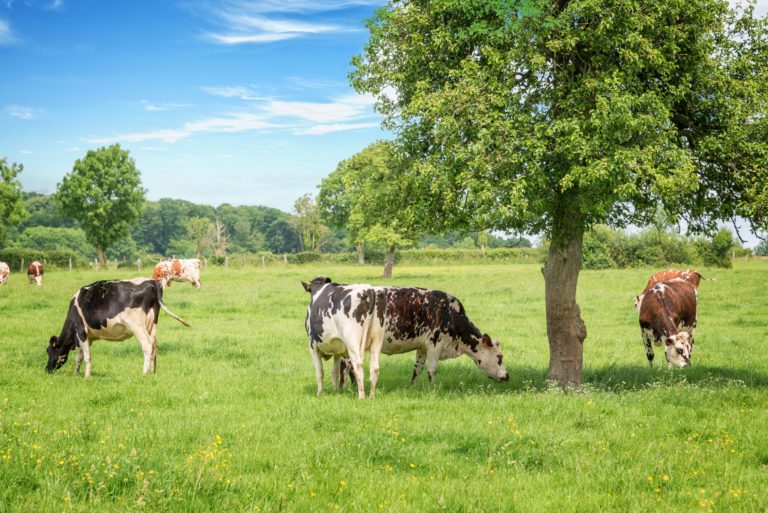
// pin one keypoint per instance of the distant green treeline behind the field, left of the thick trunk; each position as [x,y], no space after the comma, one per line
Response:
[173,227]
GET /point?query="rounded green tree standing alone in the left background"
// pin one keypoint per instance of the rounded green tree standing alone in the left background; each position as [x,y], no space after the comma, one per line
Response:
[104,193]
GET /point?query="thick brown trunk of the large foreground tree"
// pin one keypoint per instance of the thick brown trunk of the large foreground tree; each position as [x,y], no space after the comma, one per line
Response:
[565,329]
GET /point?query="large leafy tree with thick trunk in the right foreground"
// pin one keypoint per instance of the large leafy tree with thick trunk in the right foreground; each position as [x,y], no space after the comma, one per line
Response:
[550,116]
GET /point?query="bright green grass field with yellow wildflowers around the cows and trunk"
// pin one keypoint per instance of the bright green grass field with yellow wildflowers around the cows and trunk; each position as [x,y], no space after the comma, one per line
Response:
[231,421]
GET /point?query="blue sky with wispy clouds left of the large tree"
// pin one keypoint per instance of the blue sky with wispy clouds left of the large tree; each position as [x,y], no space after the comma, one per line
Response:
[218,101]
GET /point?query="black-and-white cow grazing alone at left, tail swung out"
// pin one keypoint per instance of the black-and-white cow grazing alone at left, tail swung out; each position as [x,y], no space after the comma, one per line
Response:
[110,310]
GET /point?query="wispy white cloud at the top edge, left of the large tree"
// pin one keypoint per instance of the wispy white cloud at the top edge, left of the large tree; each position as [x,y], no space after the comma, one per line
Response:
[243,22]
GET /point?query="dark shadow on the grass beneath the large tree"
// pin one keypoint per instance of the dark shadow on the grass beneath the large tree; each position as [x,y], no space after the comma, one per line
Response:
[461,380]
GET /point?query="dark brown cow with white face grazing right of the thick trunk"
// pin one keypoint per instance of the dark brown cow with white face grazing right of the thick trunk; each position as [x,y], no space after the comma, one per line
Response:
[668,315]
